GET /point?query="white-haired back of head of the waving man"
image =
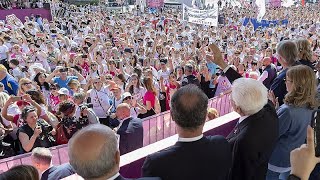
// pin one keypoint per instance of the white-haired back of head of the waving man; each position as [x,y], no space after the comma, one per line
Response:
[249,95]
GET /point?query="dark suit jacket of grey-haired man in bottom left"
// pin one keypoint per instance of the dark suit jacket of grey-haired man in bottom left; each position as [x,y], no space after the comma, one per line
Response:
[58,172]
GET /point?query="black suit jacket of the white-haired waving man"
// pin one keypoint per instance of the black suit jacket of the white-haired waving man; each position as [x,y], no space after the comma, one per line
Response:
[252,142]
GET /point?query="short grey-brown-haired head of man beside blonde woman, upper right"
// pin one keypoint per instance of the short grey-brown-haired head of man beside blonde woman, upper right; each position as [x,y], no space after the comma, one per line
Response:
[288,51]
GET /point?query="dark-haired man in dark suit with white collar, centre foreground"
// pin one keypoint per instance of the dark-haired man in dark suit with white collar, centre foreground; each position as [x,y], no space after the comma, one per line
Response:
[193,156]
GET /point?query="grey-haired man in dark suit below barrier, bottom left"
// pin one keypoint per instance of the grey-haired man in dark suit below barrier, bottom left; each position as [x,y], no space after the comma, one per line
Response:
[41,159]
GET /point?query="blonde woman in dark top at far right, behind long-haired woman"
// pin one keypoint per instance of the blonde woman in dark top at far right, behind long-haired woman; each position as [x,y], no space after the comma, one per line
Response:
[305,52]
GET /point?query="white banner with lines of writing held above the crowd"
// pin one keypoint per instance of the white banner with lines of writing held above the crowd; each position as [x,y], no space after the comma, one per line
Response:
[206,17]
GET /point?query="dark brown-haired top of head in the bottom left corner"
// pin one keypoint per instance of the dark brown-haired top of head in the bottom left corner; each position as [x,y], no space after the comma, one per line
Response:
[21,172]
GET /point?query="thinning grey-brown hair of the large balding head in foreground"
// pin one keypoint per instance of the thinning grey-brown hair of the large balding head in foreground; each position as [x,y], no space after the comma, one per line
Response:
[104,161]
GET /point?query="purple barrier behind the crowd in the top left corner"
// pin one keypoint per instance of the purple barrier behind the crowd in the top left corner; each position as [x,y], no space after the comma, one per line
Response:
[21,13]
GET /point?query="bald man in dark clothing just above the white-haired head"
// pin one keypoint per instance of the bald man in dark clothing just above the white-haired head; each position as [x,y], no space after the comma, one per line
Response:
[269,72]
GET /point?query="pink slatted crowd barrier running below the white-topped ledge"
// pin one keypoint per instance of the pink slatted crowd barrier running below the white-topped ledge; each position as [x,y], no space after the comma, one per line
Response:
[156,128]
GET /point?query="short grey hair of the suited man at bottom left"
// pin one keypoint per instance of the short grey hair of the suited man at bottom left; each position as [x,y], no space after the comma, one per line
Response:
[42,155]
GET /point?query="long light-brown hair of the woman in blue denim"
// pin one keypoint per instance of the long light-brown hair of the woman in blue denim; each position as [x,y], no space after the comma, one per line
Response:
[304,87]
